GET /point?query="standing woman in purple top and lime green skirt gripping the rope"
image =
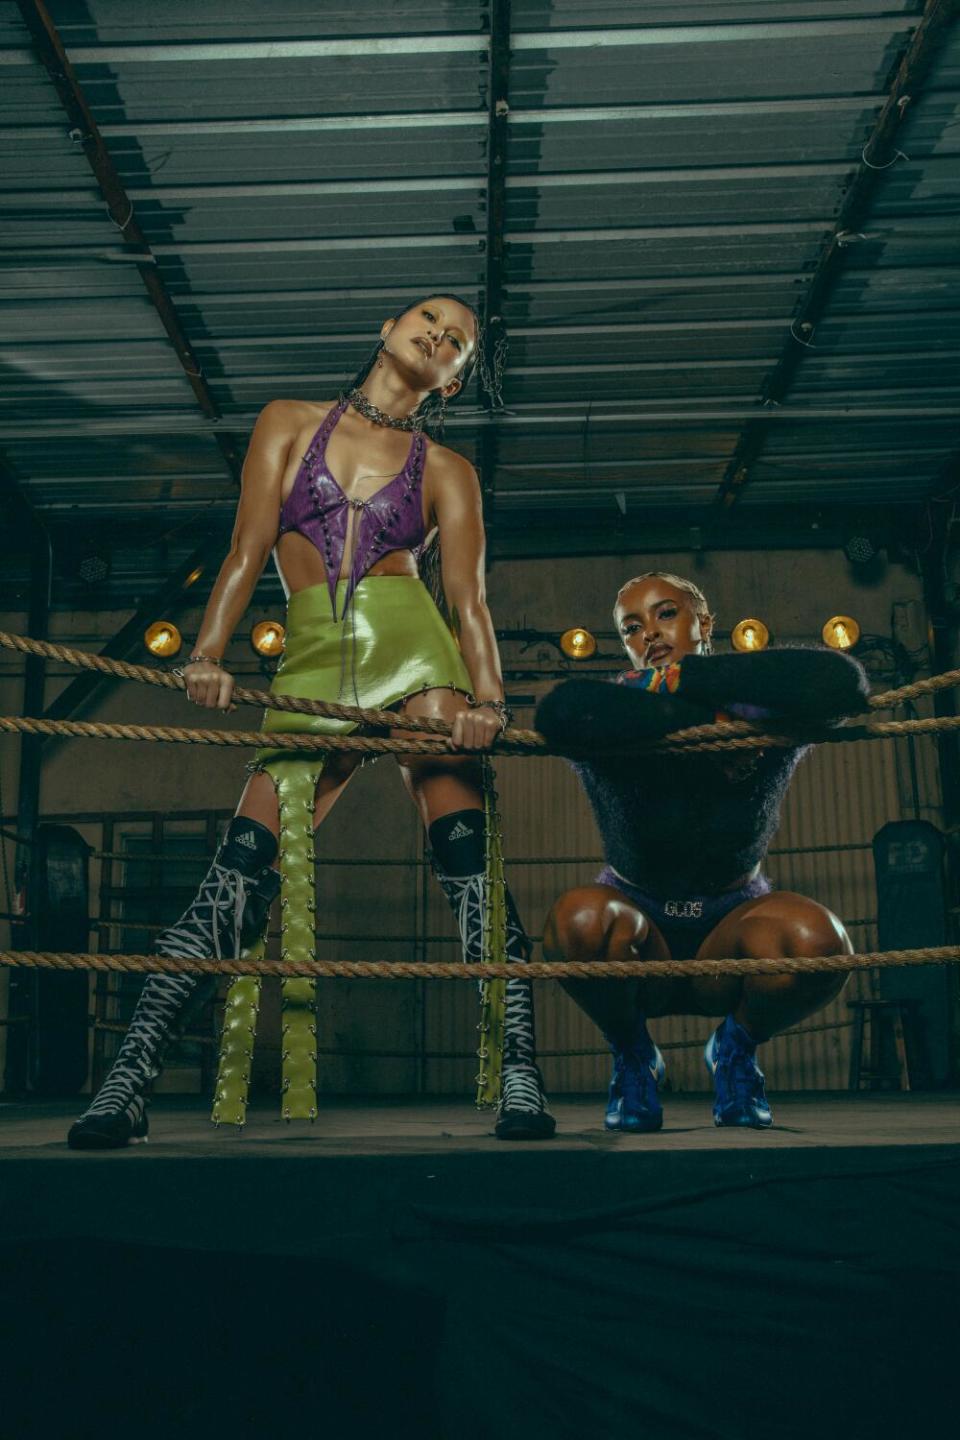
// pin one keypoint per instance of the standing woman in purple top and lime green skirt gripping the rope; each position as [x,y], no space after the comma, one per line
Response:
[348,496]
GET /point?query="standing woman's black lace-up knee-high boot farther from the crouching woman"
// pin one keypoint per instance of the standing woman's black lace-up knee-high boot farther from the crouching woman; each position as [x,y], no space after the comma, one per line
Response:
[228,915]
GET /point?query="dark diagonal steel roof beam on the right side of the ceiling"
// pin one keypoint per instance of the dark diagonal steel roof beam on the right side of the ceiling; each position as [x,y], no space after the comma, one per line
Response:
[928,41]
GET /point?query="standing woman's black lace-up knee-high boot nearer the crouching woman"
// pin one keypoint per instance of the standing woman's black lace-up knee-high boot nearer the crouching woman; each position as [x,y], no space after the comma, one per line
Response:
[458,845]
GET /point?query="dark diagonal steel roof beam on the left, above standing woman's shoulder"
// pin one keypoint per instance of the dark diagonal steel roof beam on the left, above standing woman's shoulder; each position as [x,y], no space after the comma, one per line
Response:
[53,55]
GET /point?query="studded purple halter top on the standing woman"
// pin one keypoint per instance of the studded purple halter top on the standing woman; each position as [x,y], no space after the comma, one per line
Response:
[392,519]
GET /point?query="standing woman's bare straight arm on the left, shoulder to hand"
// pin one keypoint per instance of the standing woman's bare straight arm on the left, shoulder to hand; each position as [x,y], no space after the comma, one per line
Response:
[254,538]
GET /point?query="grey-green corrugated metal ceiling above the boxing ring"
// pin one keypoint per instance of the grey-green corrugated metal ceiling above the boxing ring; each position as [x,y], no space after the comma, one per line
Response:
[674,175]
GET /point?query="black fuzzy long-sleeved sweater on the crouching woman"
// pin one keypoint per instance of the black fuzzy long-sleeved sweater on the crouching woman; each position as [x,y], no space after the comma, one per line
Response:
[684,826]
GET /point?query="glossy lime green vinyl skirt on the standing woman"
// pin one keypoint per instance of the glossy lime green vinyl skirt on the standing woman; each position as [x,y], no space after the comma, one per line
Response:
[394,643]
